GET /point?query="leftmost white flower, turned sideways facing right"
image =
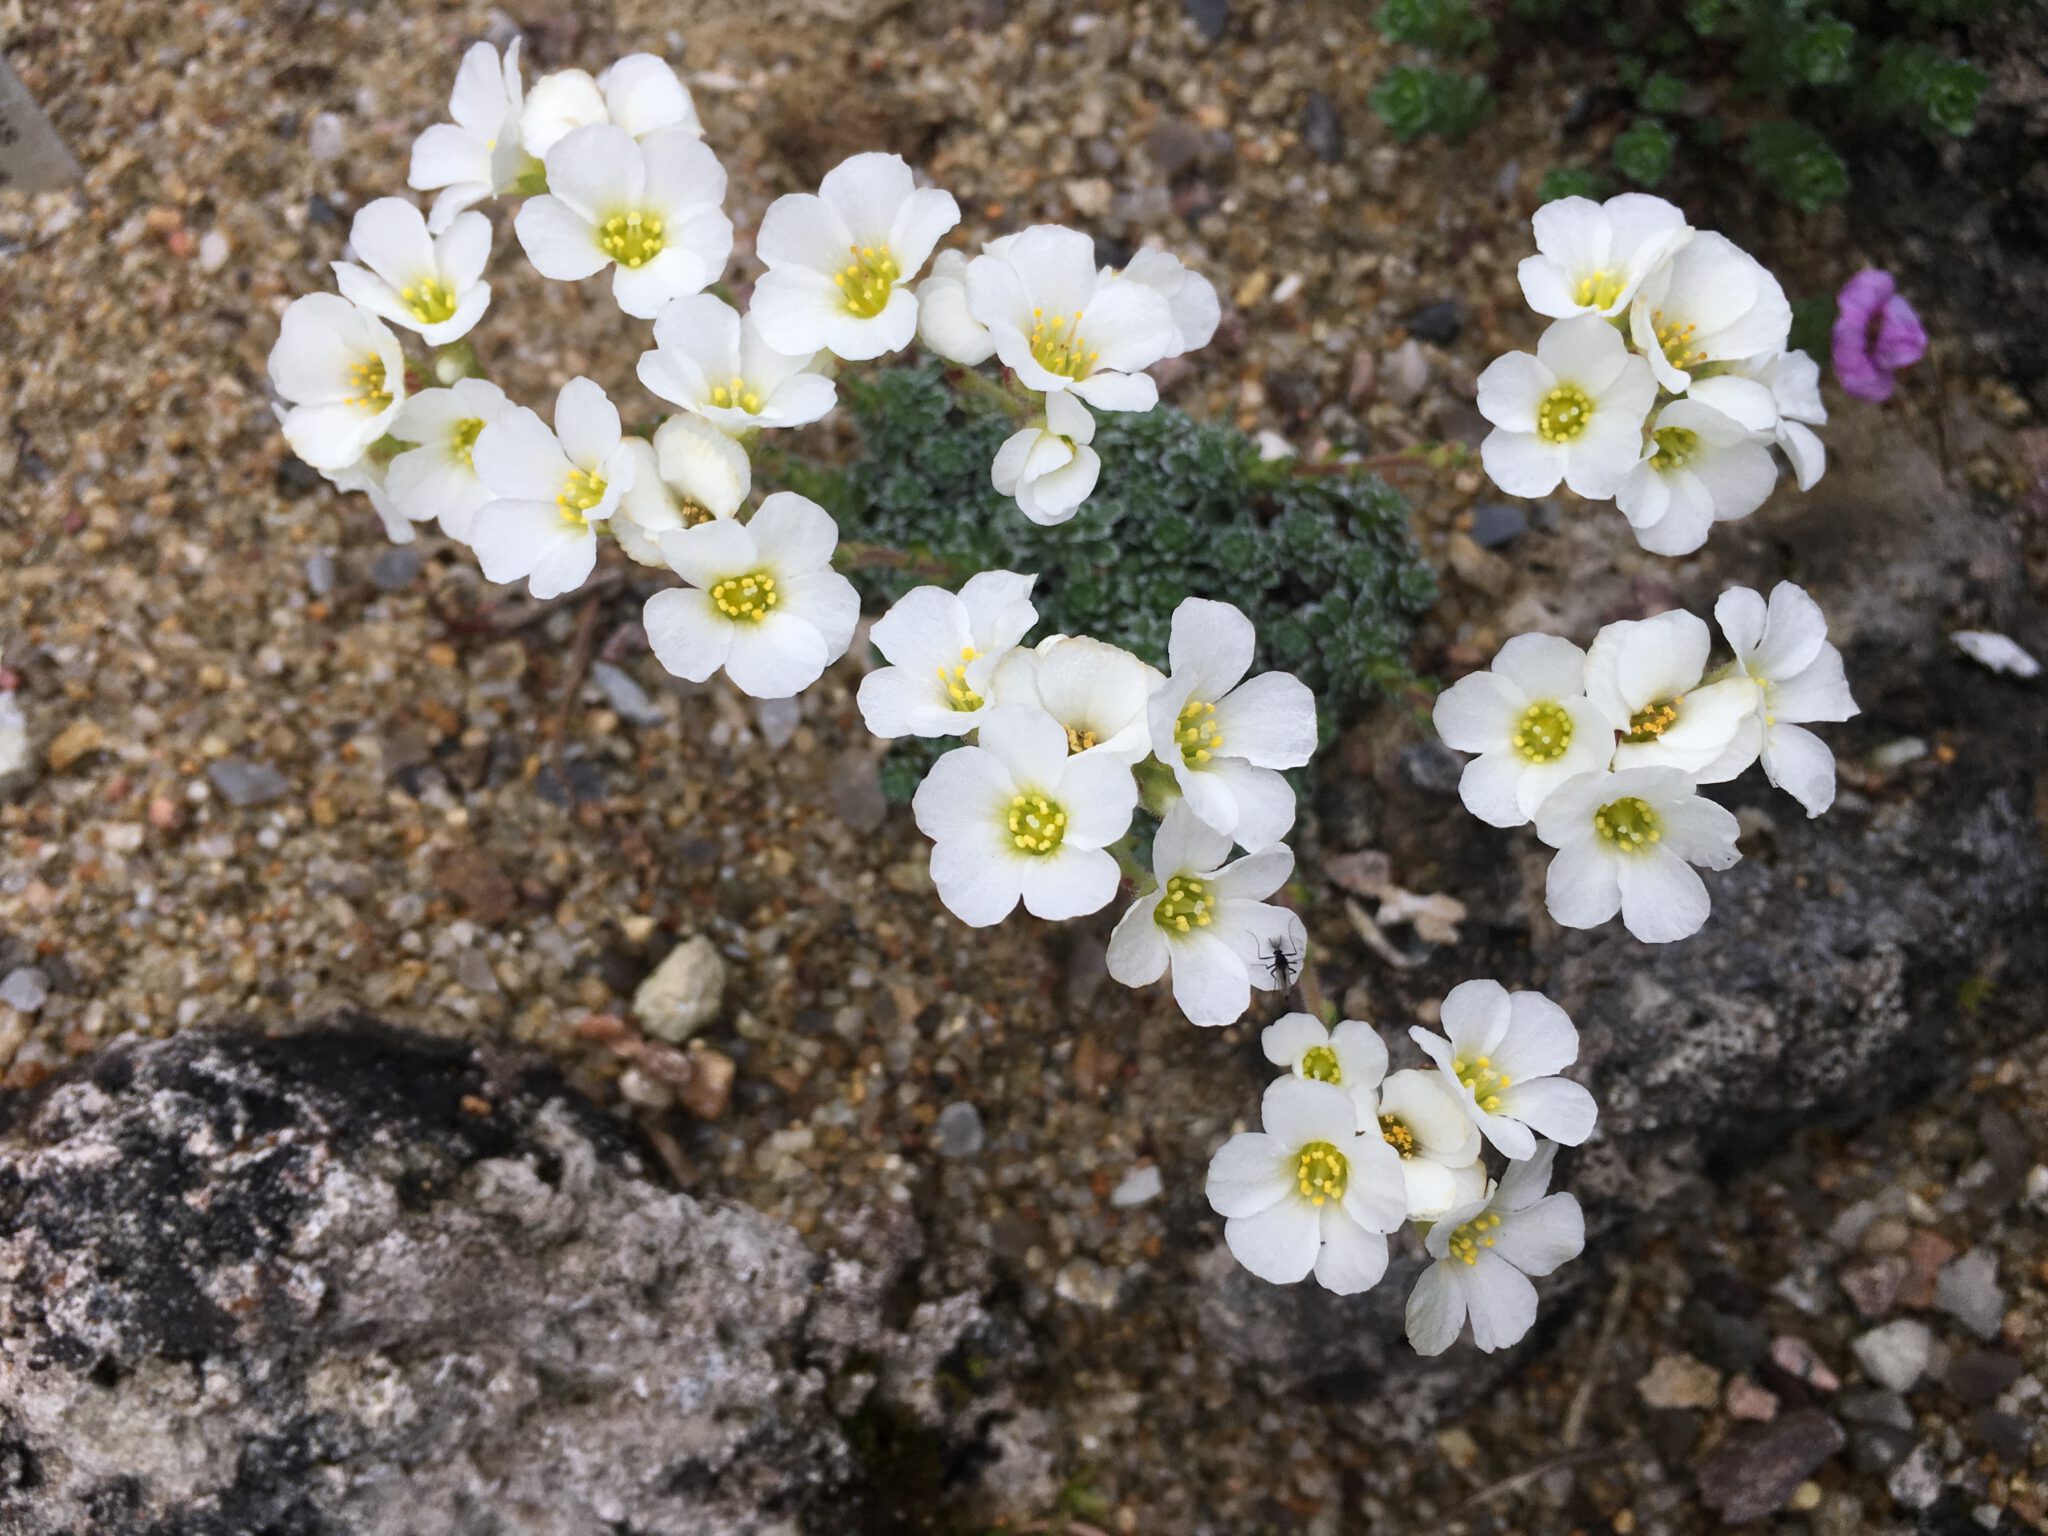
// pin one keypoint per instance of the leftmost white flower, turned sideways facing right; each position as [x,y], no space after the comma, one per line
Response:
[343,374]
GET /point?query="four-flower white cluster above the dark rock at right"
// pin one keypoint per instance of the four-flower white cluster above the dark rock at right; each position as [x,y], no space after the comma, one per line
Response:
[1607,751]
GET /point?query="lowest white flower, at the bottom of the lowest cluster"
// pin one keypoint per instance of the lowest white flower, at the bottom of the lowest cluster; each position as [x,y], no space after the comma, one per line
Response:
[1486,1250]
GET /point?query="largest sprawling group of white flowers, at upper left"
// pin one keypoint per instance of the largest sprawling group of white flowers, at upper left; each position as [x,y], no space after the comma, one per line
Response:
[615,177]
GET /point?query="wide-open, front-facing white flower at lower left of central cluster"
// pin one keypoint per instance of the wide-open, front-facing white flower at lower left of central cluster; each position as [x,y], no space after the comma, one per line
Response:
[1017,818]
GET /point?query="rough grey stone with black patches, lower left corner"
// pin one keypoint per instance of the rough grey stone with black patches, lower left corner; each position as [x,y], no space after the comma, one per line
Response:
[376,1283]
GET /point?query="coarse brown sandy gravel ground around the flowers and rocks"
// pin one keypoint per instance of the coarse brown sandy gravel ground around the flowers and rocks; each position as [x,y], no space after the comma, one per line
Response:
[282,765]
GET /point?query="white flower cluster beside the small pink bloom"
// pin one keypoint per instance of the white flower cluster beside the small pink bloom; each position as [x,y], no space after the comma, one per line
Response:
[1664,380]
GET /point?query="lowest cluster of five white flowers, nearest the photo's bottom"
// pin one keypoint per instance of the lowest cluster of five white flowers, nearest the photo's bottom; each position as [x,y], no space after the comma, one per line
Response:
[1349,1154]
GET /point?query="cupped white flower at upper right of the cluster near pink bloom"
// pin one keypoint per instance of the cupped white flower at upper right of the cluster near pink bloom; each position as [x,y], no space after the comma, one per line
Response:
[1713,302]
